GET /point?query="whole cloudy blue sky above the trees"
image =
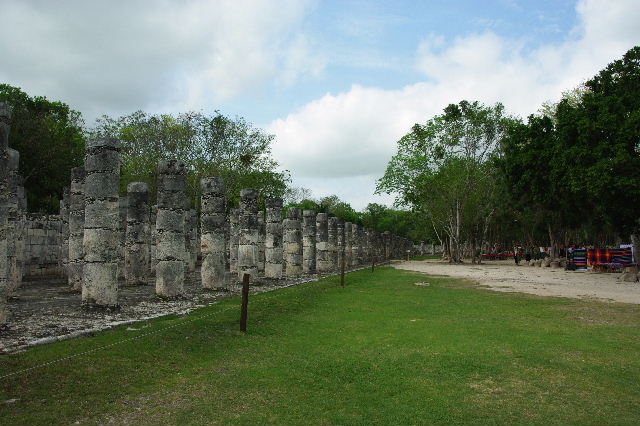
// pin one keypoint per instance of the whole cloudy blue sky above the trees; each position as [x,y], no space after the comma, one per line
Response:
[336,82]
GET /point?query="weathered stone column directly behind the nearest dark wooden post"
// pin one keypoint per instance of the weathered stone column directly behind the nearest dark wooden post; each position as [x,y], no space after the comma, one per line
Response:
[248,235]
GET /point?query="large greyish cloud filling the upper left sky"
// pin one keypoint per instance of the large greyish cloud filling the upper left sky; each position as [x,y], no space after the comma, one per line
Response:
[115,56]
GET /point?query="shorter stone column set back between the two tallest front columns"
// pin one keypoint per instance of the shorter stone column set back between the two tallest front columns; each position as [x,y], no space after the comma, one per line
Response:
[138,234]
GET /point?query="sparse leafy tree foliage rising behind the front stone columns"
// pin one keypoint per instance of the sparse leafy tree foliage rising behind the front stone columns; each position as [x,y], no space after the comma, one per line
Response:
[210,145]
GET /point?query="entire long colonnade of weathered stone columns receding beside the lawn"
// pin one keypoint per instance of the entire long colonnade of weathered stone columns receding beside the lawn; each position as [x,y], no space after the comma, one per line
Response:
[102,244]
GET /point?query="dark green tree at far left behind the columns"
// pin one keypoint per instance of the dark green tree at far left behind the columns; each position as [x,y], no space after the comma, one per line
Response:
[50,139]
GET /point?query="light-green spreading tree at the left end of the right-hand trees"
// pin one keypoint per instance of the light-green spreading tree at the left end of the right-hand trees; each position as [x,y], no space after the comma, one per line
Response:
[442,169]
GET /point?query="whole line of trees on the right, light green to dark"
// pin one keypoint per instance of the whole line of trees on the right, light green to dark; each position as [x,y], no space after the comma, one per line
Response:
[569,174]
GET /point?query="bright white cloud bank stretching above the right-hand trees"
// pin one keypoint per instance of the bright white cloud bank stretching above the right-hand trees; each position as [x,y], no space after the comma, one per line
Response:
[352,135]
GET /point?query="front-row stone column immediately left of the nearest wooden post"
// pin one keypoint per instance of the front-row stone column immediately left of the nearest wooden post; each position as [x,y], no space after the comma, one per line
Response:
[212,238]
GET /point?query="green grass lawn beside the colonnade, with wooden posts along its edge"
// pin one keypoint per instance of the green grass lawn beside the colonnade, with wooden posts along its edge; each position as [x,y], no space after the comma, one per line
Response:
[379,351]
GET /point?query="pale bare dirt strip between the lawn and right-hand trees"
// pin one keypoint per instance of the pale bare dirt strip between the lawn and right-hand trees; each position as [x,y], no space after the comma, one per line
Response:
[504,275]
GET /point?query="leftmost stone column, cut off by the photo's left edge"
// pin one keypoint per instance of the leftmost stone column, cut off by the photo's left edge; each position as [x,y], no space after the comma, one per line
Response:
[4,175]
